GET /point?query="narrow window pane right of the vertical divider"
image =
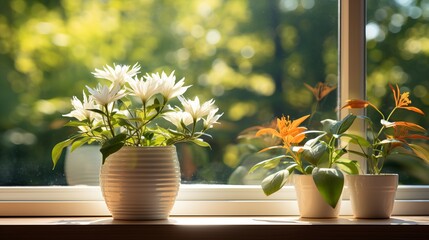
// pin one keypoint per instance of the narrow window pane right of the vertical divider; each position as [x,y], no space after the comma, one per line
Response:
[398,53]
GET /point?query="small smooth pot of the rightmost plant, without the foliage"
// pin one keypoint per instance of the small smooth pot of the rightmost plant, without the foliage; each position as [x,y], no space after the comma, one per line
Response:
[372,196]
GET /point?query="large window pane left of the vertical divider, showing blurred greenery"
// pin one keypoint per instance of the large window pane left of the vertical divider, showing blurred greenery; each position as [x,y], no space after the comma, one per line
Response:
[253,57]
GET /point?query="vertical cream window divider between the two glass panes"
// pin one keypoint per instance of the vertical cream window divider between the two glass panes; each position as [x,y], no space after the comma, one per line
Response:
[352,67]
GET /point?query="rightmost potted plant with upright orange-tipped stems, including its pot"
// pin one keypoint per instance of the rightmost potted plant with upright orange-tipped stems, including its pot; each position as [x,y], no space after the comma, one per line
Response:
[373,194]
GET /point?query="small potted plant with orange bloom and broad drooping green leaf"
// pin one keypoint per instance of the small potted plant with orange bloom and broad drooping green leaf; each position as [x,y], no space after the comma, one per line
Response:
[318,162]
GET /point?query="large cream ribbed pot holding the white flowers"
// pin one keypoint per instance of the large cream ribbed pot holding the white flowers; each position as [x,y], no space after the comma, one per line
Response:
[141,183]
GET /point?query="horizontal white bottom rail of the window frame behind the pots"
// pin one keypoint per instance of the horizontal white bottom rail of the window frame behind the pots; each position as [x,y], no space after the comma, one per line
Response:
[192,200]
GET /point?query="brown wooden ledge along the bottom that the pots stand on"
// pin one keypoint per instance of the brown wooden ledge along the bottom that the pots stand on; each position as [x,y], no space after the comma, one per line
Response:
[398,227]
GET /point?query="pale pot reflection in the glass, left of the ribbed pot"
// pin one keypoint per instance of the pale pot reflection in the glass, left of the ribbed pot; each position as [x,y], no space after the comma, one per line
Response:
[82,166]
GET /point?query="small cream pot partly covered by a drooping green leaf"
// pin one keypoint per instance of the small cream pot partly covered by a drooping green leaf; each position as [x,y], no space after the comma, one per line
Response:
[310,203]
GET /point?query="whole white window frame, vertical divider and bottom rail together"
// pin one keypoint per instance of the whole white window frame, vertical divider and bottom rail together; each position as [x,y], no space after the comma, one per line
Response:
[228,200]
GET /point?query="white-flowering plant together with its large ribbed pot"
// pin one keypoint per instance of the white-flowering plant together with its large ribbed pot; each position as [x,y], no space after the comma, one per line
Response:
[134,121]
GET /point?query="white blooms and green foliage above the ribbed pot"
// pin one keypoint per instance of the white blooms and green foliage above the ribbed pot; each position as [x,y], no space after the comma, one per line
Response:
[136,111]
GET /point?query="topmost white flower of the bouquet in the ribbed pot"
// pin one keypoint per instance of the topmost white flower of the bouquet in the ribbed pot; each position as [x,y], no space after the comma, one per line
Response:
[118,73]
